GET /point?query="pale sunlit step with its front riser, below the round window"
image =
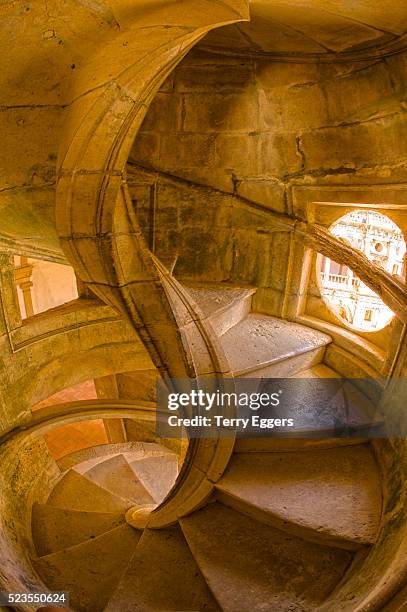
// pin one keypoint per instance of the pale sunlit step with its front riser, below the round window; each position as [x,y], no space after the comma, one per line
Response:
[265,347]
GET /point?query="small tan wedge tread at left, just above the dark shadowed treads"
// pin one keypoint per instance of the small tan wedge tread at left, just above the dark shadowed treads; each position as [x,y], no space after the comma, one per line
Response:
[75,492]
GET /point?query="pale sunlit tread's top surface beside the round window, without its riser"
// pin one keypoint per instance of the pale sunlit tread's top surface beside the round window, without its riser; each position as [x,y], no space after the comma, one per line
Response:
[260,340]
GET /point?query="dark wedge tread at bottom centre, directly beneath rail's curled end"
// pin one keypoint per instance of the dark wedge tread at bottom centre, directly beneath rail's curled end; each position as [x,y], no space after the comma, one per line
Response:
[162,575]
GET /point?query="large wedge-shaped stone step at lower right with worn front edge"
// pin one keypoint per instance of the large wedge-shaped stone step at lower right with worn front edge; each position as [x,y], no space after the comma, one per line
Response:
[331,496]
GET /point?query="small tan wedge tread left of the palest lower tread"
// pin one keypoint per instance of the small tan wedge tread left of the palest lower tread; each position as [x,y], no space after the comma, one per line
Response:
[116,476]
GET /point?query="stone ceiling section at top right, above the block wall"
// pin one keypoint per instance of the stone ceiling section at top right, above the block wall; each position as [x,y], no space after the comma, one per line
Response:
[316,27]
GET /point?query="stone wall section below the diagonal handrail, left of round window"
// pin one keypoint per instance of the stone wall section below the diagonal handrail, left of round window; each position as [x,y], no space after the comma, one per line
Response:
[212,235]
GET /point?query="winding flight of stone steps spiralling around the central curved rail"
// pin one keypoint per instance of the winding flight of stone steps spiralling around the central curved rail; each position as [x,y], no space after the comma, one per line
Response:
[285,524]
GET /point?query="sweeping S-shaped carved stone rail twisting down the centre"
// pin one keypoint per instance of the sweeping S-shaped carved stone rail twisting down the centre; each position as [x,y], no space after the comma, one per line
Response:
[101,236]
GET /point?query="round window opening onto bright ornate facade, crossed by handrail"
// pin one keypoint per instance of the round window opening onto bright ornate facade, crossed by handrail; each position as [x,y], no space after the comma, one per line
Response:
[381,240]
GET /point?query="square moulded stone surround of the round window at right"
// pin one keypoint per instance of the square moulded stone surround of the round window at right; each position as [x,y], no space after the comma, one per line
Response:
[325,206]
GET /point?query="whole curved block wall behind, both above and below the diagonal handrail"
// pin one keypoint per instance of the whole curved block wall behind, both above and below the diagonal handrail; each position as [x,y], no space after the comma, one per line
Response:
[227,139]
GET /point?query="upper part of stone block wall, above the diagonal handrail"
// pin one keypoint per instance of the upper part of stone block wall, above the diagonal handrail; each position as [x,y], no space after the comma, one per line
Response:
[255,127]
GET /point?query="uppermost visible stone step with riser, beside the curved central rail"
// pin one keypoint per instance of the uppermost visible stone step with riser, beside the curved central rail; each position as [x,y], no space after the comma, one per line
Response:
[225,306]
